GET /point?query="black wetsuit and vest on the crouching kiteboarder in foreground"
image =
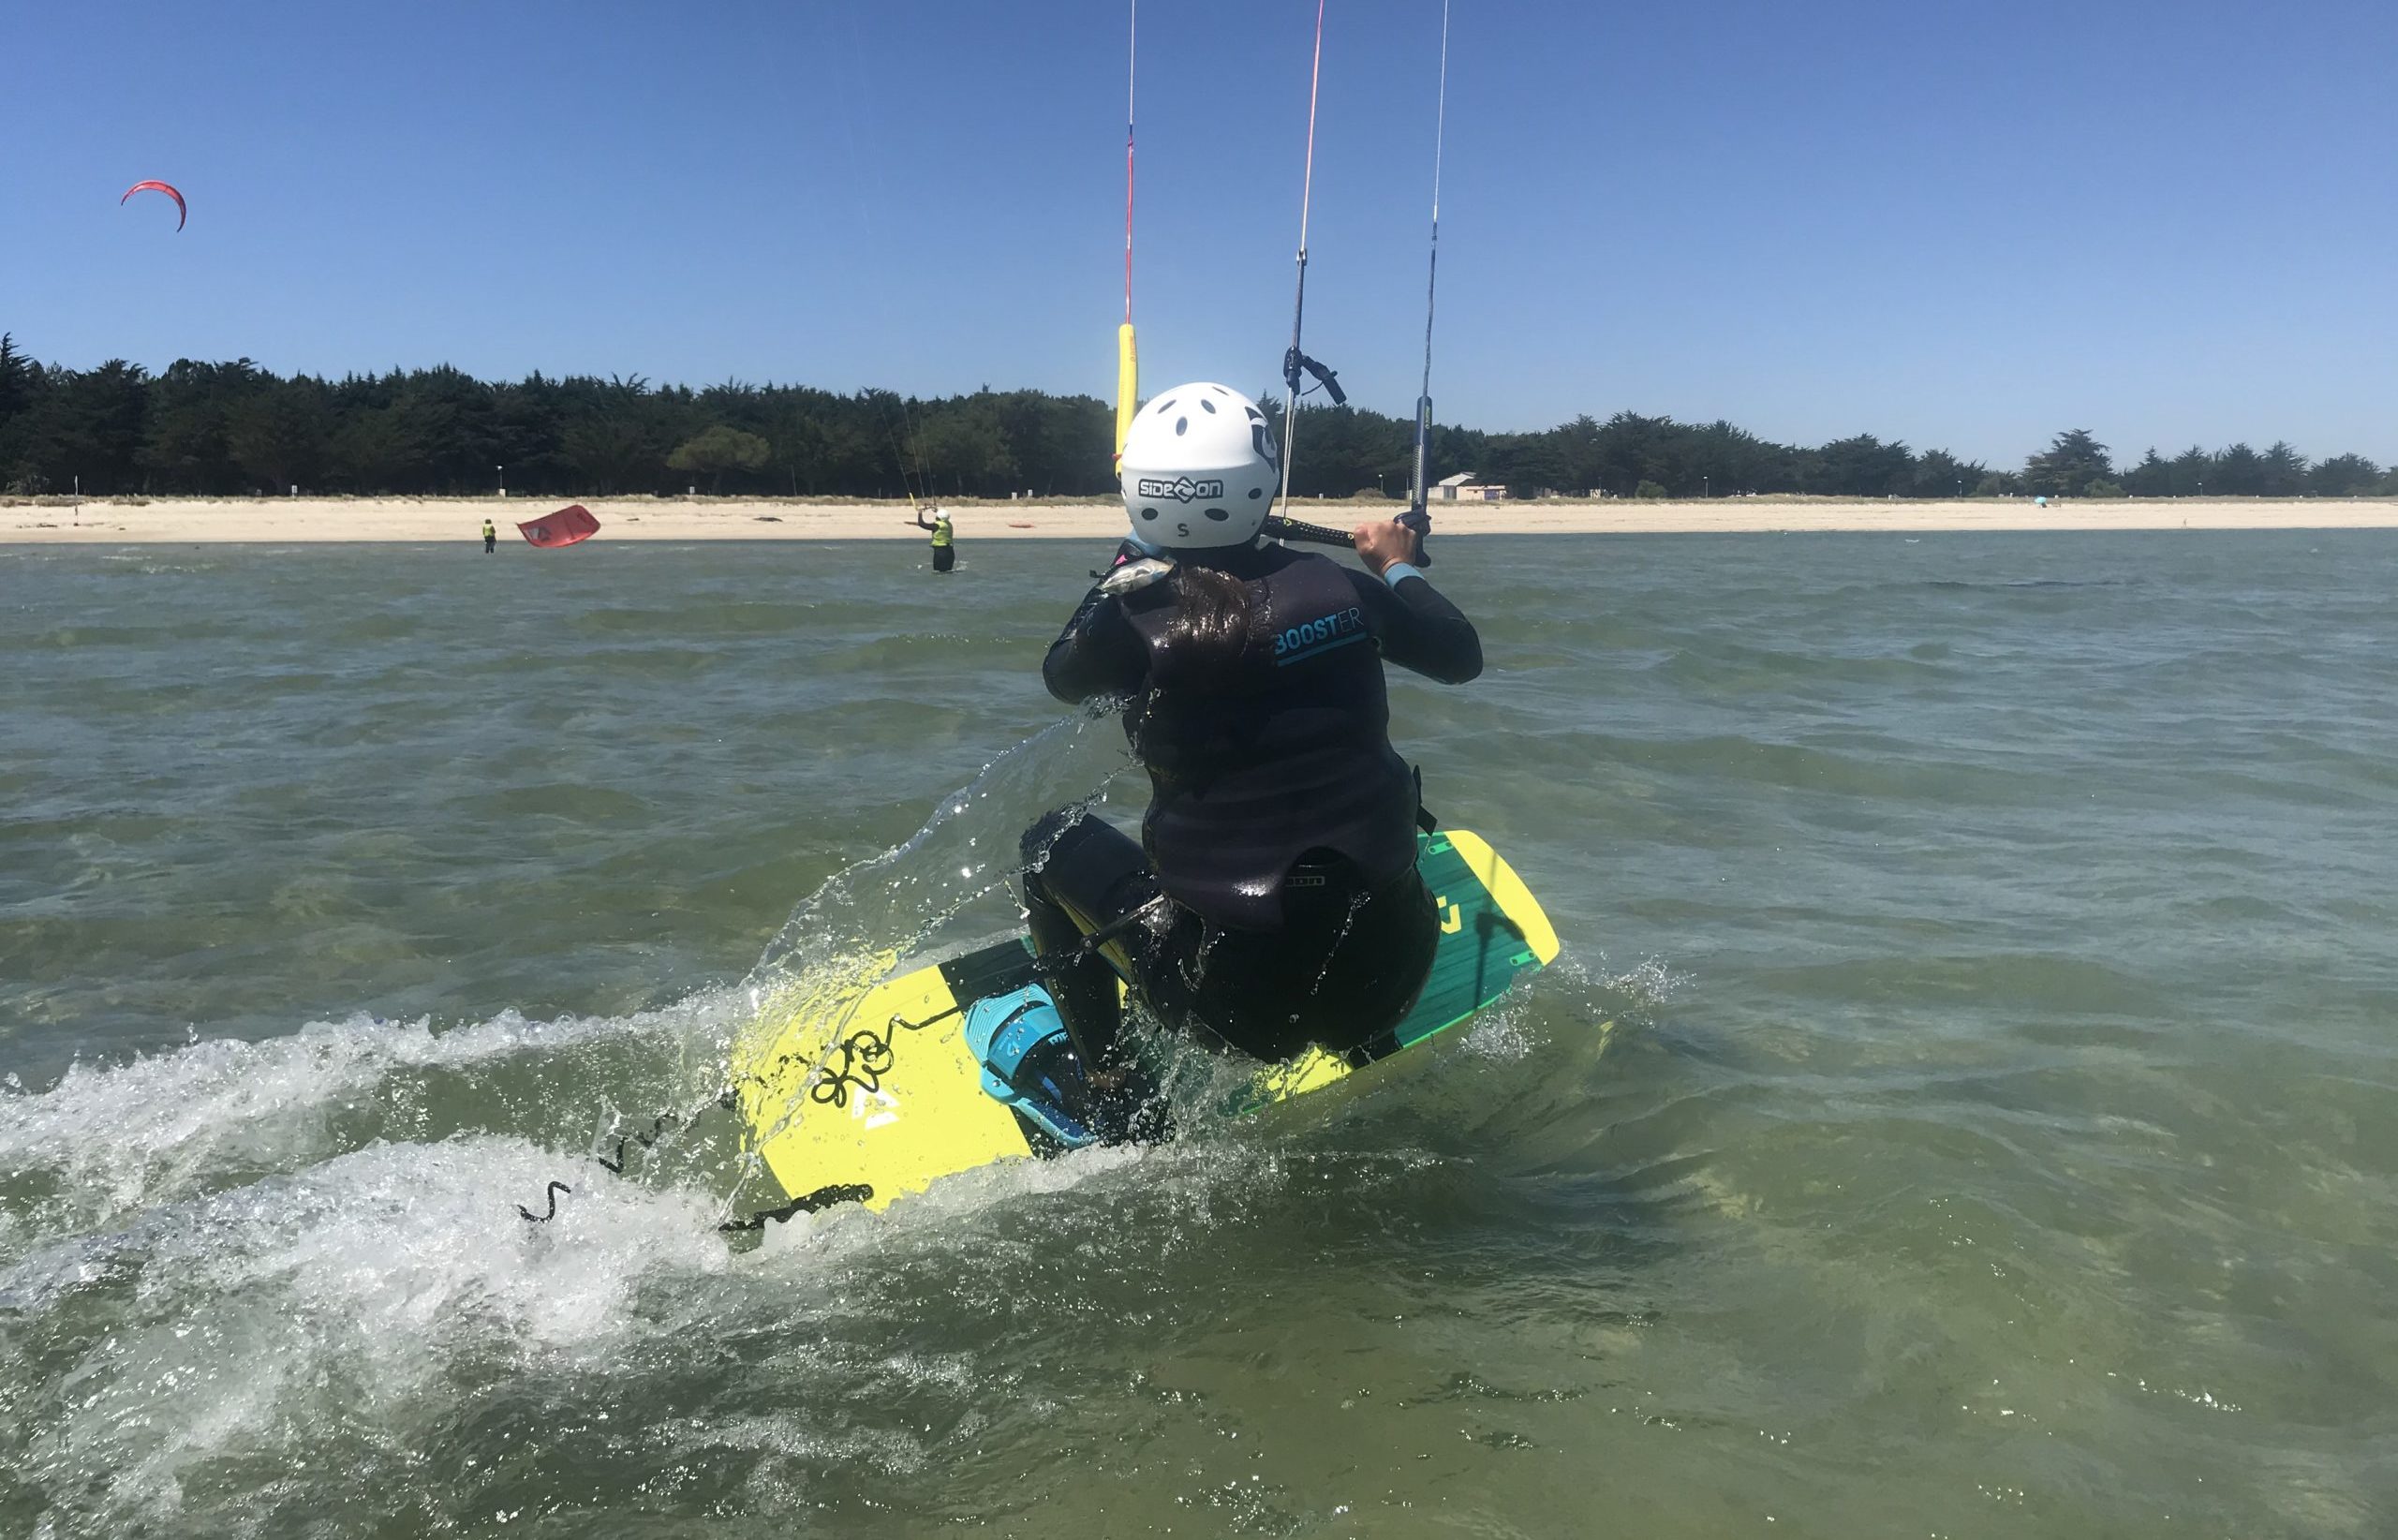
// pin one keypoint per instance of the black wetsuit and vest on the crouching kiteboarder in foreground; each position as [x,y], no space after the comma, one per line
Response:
[1277,862]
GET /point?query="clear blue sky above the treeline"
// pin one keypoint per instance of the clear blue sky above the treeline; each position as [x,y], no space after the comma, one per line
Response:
[1960,224]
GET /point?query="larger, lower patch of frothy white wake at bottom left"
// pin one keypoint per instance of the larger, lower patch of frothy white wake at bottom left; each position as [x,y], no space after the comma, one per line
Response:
[303,1313]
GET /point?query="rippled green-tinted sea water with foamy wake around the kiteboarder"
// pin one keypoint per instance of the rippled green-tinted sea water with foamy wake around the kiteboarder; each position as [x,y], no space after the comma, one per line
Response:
[1999,1133]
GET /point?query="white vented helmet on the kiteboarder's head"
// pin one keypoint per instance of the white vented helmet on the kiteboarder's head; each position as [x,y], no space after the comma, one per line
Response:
[1200,469]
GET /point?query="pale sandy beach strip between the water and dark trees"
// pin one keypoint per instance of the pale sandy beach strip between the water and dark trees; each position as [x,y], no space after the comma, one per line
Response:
[275,522]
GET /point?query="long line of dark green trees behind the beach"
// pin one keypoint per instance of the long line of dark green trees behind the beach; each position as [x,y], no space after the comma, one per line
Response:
[234,428]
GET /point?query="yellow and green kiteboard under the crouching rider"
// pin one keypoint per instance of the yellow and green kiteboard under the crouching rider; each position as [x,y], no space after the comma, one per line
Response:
[879,1095]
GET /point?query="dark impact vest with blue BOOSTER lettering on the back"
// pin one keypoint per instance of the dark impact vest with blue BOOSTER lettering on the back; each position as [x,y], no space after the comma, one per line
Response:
[1282,754]
